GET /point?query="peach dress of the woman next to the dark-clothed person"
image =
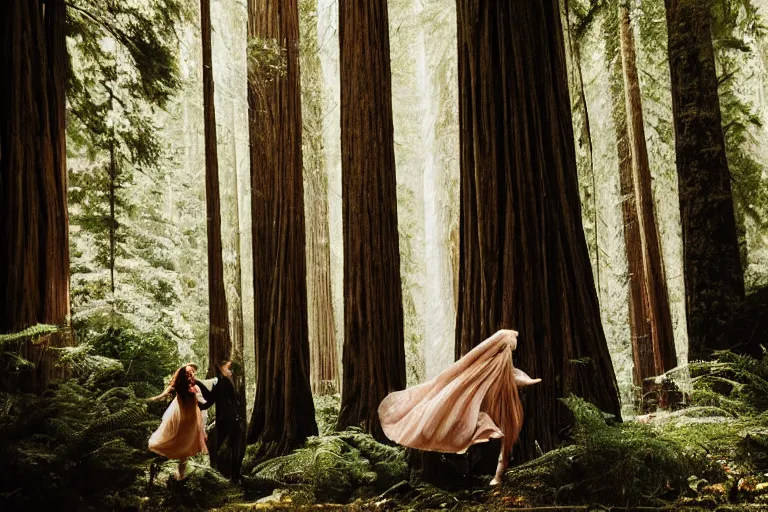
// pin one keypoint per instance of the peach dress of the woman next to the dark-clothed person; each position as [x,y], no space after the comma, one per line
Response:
[181,433]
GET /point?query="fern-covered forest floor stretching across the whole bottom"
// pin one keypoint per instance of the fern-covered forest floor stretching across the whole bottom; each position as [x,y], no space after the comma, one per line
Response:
[82,446]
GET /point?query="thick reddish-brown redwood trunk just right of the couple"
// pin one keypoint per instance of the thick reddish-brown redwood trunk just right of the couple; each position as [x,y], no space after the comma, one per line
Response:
[283,413]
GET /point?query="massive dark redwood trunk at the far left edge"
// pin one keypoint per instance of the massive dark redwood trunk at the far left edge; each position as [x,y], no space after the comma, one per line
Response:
[34,245]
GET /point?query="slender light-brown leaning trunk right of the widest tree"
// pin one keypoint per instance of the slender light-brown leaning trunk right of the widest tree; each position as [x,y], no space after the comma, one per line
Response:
[654,344]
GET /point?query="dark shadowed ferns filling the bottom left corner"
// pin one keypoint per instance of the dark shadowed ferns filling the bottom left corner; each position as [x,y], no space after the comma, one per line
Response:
[73,449]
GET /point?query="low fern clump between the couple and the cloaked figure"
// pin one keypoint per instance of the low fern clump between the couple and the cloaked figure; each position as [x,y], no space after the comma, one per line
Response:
[331,468]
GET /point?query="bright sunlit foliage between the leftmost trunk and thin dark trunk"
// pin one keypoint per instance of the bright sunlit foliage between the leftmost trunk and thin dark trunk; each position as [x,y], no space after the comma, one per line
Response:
[124,68]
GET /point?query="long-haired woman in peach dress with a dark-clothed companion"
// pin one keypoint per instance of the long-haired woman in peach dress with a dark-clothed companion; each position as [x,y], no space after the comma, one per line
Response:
[181,433]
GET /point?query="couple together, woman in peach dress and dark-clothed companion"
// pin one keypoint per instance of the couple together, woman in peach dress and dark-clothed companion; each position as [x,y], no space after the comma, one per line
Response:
[181,433]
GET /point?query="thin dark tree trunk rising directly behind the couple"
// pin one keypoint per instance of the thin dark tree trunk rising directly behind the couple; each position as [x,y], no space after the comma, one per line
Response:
[219,347]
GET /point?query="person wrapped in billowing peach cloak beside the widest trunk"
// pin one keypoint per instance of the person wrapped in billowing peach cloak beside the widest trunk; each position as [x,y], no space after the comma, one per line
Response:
[473,400]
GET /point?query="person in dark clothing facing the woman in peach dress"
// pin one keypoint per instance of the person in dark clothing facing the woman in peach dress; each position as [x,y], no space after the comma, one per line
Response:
[223,394]
